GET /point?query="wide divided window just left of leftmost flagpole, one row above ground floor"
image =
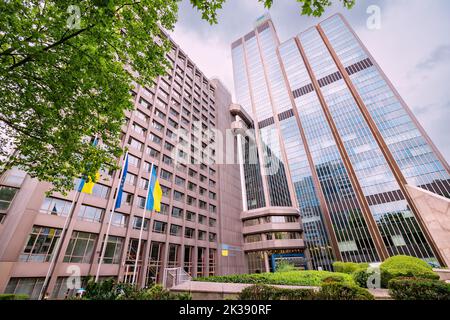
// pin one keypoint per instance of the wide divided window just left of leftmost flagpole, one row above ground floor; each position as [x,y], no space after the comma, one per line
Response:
[40,244]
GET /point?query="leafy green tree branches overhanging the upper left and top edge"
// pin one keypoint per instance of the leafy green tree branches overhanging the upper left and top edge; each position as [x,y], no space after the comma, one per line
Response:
[65,74]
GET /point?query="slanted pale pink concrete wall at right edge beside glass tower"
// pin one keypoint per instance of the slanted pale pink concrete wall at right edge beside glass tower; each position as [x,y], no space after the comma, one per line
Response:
[435,213]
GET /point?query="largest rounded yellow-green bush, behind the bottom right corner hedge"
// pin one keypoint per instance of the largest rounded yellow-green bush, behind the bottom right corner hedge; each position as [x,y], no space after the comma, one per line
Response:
[405,266]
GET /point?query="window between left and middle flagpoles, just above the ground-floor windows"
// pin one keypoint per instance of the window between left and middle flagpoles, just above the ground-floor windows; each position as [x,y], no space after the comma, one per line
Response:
[81,247]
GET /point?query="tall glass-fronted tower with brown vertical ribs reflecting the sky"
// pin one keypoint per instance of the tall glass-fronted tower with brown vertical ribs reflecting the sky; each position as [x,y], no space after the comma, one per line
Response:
[350,154]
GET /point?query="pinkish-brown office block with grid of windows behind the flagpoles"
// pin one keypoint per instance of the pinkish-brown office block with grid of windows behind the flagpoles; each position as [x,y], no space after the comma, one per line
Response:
[200,211]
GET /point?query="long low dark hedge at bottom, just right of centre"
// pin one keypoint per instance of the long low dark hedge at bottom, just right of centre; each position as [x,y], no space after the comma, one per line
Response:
[264,292]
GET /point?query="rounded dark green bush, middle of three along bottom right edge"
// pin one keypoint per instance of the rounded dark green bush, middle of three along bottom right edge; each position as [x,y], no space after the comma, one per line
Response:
[342,291]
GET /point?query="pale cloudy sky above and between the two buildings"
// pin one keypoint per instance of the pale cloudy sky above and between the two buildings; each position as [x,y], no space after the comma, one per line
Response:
[412,47]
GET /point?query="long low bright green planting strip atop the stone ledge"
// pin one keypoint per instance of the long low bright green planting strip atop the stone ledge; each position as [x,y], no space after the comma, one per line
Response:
[295,278]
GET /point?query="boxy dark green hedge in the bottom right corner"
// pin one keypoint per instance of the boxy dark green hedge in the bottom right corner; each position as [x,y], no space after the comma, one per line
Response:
[418,289]
